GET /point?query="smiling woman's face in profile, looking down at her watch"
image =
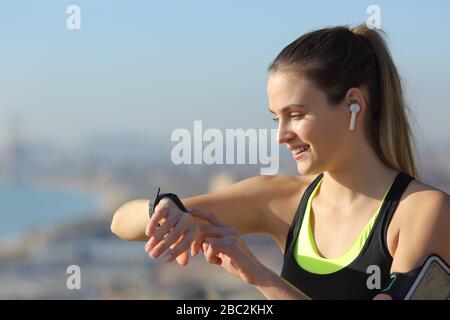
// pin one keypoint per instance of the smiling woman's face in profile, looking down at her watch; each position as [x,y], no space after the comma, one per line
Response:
[315,122]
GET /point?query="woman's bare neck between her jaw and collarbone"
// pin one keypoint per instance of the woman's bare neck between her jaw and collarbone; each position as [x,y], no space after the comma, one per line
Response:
[360,177]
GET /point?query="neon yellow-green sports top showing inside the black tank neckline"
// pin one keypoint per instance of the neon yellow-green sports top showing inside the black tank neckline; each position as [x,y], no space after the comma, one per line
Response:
[305,250]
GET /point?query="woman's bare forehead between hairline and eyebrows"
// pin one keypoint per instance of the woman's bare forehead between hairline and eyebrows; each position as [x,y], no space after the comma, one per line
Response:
[284,88]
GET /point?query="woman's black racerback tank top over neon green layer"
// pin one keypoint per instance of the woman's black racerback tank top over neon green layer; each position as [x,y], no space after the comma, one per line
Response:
[351,281]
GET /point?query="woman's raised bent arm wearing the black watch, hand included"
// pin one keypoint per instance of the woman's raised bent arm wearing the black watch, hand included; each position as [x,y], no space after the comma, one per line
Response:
[261,204]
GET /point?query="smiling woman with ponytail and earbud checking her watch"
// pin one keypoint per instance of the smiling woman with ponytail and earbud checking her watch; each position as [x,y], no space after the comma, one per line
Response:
[357,206]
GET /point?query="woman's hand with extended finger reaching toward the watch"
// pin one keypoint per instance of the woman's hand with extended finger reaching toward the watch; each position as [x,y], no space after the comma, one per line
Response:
[226,248]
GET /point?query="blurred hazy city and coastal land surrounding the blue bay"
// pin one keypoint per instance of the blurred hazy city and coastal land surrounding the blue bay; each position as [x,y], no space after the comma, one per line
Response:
[33,265]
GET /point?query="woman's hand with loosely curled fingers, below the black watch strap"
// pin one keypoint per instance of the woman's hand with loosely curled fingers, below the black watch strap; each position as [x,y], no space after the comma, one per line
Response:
[177,231]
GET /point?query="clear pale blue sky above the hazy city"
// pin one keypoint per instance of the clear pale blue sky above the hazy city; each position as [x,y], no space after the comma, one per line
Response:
[144,68]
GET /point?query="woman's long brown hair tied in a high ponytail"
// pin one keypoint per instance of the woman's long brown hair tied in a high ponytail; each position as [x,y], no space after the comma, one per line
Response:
[337,59]
